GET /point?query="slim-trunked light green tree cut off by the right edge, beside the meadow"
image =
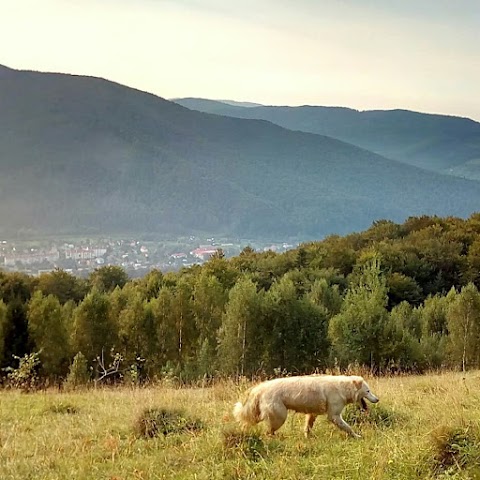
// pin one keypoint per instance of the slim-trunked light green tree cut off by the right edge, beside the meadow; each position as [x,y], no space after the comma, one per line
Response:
[463,318]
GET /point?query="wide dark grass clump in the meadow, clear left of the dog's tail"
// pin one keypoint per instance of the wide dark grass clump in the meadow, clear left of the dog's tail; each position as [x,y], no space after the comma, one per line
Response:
[153,422]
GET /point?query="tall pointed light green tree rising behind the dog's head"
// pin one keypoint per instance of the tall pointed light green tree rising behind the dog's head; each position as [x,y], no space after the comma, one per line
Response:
[357,332]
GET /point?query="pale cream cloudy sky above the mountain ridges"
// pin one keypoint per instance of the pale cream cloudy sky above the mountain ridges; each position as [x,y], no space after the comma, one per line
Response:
[421,55]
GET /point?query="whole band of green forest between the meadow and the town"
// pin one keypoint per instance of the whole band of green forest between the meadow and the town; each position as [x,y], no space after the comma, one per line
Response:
[393,298]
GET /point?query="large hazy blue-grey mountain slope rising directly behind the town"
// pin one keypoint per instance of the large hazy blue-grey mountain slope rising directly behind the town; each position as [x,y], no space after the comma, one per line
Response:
[86,155]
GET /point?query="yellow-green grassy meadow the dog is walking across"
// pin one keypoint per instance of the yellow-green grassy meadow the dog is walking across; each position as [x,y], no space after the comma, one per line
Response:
[423,427]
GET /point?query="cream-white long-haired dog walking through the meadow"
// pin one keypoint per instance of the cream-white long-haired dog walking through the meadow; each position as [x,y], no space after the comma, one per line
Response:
[309,394]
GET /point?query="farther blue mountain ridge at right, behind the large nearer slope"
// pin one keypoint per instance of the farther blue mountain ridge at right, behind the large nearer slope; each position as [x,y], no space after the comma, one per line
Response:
[441,143]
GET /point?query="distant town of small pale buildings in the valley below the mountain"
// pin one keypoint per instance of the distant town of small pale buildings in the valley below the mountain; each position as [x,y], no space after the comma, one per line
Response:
[137,257]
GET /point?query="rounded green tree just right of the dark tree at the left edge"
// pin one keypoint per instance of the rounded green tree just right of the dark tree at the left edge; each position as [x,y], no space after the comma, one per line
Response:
[47,329]
